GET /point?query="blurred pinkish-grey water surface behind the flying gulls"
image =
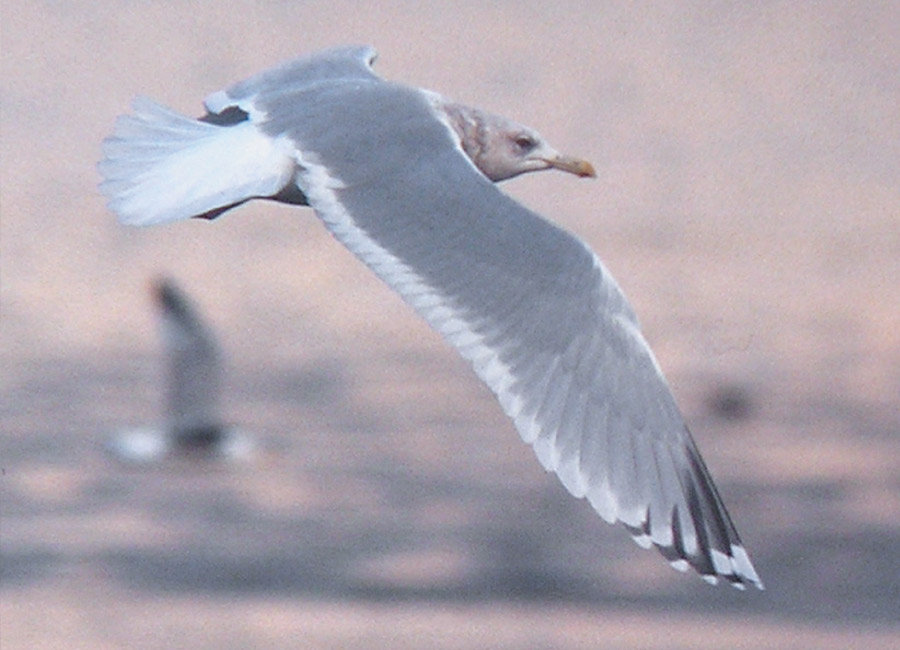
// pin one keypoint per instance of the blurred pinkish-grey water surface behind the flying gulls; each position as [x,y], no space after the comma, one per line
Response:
[748,201]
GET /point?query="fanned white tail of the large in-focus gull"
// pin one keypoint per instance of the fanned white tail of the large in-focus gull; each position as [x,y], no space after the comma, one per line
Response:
[160,166]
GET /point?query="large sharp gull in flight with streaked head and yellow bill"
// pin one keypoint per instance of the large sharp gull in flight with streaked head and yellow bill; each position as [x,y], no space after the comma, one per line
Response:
[406,180]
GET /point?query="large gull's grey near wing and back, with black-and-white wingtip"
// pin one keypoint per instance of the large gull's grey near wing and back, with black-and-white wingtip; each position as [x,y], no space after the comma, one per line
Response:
[528,304]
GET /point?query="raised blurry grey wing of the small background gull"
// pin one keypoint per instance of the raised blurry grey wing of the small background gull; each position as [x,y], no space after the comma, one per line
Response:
[192,363]
